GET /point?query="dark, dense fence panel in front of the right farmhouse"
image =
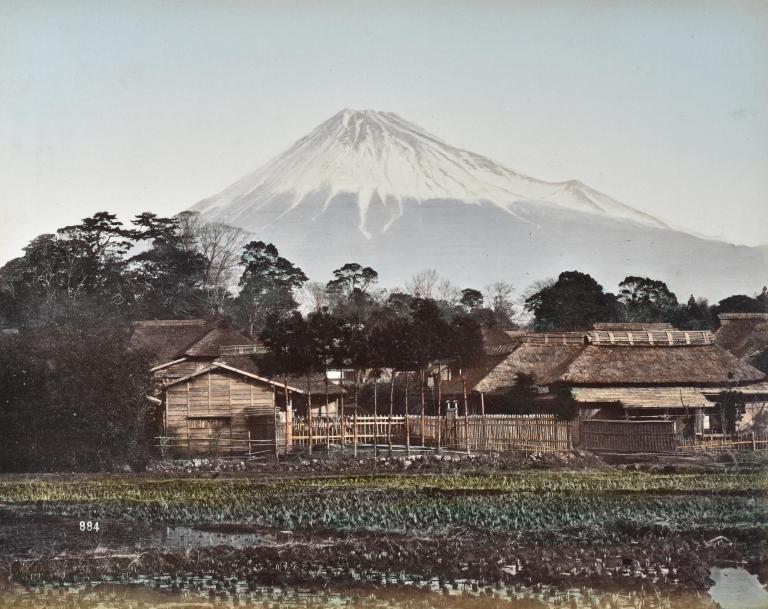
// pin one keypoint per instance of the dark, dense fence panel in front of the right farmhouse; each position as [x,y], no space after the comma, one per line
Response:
[627,436]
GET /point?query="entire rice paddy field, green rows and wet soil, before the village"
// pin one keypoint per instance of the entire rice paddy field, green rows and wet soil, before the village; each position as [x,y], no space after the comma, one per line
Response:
[610,528]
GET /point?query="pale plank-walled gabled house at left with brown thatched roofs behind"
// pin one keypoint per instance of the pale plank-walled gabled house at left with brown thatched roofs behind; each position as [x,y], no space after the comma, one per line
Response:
[210,394]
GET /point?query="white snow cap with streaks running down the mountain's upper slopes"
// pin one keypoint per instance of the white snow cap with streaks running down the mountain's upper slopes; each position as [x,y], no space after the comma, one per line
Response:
[379,155]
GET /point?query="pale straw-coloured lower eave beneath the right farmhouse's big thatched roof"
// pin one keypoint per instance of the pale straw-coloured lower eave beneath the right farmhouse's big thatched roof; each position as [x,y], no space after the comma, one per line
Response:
[644,397]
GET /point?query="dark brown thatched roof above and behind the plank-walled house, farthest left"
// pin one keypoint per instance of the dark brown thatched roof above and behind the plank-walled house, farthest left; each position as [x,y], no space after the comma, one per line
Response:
[165,340]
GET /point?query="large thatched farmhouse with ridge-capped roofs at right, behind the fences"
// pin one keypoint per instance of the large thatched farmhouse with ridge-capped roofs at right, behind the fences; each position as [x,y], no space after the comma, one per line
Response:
[623,371]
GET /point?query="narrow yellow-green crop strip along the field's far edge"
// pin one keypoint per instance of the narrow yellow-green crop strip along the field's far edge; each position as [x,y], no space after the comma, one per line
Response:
[190,490]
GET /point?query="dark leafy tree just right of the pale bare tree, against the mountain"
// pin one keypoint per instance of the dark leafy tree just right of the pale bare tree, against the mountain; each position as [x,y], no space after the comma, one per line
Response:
[267,285]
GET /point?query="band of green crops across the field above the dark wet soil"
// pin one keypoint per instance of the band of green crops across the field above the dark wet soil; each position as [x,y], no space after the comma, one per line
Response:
[604,504]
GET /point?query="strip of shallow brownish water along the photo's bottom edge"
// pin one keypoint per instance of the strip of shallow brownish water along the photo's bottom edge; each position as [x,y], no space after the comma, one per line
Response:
[211,594]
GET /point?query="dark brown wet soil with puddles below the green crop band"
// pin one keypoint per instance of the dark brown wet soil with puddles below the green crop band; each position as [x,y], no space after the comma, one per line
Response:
[35,549]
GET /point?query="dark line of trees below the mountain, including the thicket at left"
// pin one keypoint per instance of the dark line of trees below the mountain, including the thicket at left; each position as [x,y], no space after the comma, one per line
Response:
[74,394]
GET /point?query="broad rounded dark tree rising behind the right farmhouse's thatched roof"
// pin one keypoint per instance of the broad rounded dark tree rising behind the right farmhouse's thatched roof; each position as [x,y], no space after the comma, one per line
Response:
[574,302]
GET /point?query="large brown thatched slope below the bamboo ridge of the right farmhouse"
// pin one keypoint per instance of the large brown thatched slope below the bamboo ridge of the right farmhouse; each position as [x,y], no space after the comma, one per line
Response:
[693,365]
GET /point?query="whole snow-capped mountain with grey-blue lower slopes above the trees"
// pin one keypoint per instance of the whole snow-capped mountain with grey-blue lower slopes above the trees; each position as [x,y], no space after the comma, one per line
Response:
[371,187]
